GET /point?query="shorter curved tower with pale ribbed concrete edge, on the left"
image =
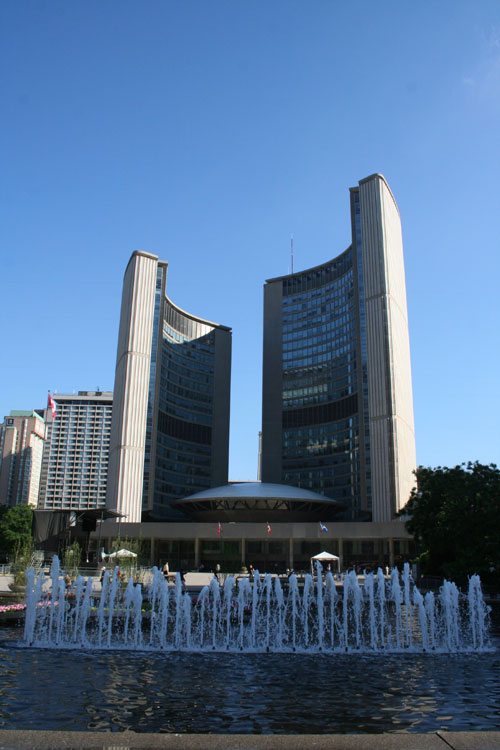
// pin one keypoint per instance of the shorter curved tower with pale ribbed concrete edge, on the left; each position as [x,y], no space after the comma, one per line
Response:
[170,429]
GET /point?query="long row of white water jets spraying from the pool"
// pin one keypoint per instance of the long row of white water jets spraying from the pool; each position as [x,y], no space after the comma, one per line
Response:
[385,614]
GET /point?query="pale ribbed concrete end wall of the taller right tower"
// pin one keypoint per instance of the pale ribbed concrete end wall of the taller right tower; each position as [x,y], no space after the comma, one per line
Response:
[392,437]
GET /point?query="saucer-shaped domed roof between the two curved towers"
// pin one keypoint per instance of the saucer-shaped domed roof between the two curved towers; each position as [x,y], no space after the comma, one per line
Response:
[258,501]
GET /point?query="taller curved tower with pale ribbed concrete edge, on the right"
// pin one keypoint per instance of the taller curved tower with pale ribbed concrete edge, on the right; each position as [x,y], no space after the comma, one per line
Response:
[337,406]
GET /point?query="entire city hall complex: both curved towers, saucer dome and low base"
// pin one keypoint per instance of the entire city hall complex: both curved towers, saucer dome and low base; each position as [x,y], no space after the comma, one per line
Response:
[338,447]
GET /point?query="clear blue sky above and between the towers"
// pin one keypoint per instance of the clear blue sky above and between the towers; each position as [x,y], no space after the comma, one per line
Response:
[207,132]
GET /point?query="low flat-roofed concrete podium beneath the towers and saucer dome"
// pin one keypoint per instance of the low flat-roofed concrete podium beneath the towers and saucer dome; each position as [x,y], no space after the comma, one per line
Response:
[290,545]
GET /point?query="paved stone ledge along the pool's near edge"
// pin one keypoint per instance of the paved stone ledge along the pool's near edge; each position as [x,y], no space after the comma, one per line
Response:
[32,740]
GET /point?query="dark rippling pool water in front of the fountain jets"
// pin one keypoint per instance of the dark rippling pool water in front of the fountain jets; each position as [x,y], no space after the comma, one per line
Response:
[248,692]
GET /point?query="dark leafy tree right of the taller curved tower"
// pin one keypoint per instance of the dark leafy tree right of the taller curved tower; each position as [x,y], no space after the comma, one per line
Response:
[454,516]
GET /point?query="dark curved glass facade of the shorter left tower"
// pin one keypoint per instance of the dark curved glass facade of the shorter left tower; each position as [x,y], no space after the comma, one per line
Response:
[183,395]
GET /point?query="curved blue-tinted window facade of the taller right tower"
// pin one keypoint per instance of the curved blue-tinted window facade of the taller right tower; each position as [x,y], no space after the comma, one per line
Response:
[320,436]
